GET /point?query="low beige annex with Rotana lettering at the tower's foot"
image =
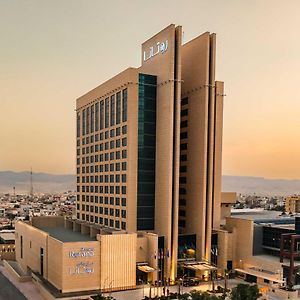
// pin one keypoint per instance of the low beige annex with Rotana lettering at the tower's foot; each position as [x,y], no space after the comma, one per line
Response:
[73,256]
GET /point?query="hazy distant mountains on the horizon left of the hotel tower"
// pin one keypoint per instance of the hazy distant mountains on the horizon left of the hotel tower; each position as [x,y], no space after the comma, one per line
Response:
[42,182]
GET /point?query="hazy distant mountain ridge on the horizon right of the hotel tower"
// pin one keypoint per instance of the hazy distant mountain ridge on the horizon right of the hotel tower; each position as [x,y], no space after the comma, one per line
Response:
[260,185]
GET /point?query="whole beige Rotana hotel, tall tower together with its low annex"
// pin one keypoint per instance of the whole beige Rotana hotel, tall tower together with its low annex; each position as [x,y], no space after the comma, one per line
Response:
[149,149]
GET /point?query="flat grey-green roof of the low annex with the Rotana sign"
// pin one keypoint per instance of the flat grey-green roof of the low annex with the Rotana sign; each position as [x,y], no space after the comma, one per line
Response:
[66,235]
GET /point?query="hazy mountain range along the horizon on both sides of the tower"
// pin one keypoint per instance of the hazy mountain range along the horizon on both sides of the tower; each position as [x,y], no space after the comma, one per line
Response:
[44,182]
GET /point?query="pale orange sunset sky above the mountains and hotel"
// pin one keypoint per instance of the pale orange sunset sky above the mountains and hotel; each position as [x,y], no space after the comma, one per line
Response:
[52,52]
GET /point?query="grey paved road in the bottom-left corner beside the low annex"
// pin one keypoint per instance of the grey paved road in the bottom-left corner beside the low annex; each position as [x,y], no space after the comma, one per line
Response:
[27,290]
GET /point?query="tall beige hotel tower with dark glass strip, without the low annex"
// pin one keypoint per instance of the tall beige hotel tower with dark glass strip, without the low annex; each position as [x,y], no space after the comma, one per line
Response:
[149,145]
